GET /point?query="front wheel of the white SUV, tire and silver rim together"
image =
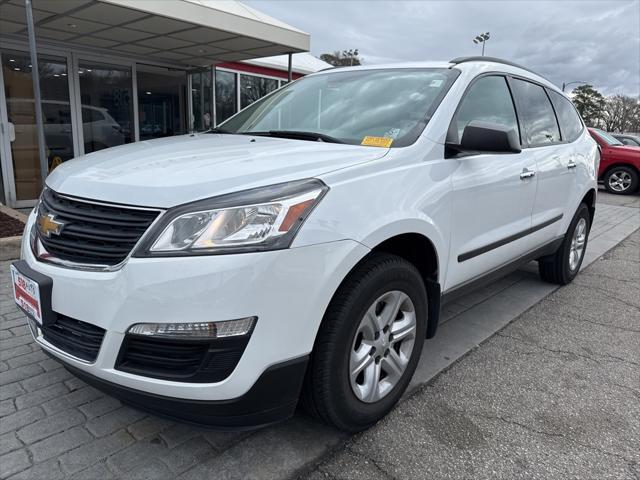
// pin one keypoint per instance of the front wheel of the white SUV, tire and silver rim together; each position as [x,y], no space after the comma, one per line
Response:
[368,345]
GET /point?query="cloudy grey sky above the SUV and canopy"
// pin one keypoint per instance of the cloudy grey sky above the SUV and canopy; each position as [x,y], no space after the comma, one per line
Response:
[593,41]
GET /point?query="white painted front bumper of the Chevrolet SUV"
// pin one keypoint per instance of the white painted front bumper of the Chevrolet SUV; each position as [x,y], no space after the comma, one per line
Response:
[288,290]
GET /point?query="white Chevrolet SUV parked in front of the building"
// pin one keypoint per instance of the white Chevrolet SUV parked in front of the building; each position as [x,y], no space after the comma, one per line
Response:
[303,249]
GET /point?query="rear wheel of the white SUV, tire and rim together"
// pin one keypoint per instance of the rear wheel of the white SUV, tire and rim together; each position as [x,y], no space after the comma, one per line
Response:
[564,265]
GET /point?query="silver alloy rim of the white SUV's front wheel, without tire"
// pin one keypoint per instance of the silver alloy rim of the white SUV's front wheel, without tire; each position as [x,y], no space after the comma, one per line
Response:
[382,346]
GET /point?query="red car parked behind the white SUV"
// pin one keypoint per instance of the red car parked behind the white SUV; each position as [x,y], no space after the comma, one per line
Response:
[619,163]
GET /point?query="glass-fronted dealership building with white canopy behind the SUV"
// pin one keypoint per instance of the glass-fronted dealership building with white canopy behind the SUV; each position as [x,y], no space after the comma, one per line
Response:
[118,71]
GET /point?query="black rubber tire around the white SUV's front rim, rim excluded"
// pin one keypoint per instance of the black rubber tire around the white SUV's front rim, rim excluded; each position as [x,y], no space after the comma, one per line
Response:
[327,391]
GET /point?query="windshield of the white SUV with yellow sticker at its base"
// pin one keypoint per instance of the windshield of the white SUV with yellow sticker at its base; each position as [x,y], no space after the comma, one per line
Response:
[387,107]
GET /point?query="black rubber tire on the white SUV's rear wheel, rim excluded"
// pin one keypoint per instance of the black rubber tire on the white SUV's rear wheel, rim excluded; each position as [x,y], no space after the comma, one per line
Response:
[556,268]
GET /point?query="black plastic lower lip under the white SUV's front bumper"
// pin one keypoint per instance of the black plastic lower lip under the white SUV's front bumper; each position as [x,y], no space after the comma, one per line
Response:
[272,398]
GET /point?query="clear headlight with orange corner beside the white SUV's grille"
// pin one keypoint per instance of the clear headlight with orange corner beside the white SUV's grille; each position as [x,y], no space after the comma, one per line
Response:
[253,220]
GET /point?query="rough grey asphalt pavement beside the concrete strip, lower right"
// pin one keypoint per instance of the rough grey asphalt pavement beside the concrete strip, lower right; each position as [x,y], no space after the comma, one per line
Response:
[555,394]
